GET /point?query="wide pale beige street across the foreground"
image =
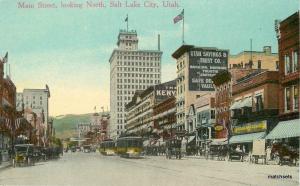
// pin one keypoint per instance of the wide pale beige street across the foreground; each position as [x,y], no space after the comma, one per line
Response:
[94,169]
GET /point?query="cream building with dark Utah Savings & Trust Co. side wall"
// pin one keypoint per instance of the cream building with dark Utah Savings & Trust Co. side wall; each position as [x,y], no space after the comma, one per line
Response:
[195,68]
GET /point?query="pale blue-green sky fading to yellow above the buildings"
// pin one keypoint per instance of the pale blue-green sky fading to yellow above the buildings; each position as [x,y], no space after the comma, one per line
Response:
[69,49]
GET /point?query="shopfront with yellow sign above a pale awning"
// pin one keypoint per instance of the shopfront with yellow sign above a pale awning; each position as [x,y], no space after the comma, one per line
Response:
[244,135]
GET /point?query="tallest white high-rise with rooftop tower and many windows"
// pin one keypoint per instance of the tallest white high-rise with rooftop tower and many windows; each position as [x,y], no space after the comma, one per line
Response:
[131,69]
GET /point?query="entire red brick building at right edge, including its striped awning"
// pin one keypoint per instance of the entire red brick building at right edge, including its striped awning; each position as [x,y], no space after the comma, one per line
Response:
[288,129]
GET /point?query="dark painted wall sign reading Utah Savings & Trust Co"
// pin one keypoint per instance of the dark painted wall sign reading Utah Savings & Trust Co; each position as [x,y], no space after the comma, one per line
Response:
[203,65]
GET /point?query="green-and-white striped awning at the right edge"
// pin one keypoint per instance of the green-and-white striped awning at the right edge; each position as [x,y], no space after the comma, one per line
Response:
[285,129]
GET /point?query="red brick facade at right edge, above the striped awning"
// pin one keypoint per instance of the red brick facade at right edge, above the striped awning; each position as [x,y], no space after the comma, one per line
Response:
[288,42]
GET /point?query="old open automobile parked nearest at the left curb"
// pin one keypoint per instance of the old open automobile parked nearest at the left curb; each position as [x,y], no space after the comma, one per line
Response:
[23,155]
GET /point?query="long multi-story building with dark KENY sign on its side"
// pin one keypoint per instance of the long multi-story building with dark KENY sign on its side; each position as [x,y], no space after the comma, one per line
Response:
[139,112]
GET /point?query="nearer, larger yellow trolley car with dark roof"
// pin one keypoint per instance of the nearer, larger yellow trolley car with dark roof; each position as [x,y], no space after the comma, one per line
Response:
[129,147]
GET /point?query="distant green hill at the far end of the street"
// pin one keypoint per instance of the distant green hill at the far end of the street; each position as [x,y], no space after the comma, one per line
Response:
[65,125]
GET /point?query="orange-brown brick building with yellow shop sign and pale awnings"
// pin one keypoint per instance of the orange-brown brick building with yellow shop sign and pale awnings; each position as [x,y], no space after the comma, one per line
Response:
[254,108]
